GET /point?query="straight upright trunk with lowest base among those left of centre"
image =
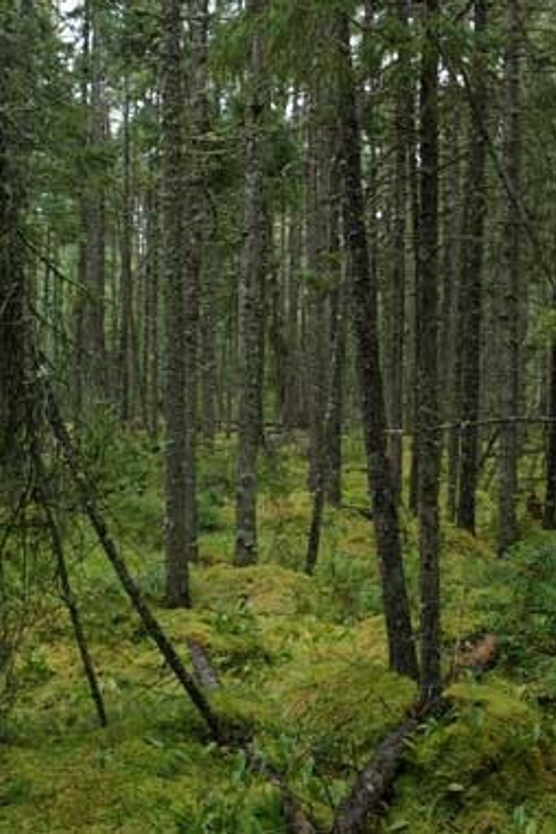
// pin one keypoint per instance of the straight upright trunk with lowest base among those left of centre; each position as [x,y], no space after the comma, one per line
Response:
[177,573]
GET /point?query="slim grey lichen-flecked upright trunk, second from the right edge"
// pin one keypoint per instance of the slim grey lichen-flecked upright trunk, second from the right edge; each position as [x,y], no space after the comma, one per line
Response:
[509,317]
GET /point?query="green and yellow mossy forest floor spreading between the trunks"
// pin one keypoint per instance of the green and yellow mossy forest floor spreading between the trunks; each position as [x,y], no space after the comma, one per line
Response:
[301,659]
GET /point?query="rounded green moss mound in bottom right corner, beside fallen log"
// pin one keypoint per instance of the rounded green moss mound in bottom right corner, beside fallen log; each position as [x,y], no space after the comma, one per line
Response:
[477,765]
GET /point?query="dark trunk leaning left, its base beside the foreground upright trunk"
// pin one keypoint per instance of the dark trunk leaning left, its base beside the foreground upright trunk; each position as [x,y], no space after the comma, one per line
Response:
[364,311]
